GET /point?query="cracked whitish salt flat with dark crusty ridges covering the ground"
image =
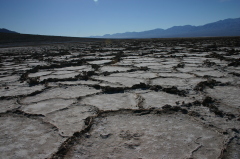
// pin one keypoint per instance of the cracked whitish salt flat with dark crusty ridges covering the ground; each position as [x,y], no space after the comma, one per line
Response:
[157,98]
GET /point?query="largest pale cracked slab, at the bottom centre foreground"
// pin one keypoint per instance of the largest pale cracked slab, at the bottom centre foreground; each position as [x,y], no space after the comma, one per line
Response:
[148,136]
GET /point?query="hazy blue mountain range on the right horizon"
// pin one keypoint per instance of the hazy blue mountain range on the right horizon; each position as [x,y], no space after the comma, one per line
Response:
[227,27]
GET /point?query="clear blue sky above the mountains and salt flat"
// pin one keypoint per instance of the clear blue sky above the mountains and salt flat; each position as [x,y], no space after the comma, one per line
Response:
[81,18]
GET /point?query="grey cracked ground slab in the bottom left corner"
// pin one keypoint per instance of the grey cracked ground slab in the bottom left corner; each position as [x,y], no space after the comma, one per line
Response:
[23,137]
